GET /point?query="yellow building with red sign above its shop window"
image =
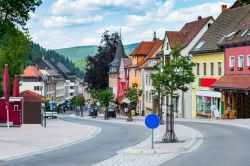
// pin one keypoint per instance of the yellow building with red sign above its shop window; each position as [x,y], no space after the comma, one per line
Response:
[209,68]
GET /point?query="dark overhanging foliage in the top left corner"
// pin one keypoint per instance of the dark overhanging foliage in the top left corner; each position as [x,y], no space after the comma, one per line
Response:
[17,11]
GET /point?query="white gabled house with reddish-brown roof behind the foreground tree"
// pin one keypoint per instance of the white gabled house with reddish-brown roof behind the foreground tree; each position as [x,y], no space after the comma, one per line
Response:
[186,38]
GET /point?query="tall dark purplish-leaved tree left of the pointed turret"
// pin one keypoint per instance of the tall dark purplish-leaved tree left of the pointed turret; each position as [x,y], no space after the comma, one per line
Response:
[98,66]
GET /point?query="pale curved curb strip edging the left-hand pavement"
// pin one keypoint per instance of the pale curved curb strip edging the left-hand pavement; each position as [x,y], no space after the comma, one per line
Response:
[51,148]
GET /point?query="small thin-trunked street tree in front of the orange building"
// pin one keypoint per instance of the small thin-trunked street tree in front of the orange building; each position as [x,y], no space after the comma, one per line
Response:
[133,94]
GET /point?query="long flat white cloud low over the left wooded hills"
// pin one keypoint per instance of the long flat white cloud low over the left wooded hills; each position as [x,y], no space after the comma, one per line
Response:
[60,21]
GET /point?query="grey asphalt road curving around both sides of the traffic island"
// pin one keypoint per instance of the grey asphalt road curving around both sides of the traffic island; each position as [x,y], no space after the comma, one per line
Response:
[222,145]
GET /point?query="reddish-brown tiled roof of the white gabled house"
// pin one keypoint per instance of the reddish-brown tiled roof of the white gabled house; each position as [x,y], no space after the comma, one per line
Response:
[183,37]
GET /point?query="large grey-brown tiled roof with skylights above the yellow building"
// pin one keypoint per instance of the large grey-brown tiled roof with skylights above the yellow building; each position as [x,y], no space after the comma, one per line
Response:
[228,21]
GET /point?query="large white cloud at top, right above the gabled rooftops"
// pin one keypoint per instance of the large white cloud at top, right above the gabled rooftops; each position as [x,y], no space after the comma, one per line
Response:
[165,13]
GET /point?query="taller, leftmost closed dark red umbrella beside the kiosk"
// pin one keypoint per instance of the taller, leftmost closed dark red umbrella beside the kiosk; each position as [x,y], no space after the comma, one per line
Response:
[6,90]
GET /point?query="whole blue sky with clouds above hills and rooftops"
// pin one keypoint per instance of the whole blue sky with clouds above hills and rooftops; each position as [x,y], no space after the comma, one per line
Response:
[68,23]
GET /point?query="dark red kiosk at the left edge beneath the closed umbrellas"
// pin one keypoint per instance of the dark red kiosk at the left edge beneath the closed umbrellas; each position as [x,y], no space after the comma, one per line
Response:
[15,111]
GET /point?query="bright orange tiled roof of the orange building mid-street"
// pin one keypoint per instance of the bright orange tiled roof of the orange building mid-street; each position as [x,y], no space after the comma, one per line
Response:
[147,49]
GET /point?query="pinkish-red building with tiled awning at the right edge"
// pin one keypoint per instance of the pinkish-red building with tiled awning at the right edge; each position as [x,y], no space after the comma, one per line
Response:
[235,84]
